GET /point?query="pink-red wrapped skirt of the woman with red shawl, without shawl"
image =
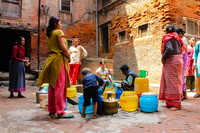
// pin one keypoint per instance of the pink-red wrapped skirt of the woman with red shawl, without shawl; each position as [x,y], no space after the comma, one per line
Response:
[171,79]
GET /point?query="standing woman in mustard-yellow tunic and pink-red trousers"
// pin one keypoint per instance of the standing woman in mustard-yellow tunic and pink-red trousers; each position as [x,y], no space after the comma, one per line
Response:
[55,69]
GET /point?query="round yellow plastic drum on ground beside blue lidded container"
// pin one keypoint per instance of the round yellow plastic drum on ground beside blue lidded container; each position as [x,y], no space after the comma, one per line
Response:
[129,101]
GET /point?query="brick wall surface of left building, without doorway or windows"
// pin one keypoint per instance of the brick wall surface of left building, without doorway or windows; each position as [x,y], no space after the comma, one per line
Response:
[80,23]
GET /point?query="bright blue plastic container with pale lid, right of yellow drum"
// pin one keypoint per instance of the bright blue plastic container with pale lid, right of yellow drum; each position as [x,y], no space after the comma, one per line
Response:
[149,102]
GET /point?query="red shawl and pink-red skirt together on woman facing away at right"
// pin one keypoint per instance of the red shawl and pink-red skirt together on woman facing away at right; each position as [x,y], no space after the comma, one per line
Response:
[171,79]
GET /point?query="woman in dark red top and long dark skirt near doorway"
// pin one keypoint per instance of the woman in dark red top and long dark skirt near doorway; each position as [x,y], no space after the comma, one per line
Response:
[17,69]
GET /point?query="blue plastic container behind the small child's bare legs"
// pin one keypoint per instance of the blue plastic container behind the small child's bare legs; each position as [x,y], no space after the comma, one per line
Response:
[89,109]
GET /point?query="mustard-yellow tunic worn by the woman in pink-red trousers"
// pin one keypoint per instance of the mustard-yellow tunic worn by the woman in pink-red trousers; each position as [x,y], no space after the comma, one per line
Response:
[52,66]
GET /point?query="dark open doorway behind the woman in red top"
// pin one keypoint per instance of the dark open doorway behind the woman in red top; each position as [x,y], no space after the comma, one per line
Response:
[7,41]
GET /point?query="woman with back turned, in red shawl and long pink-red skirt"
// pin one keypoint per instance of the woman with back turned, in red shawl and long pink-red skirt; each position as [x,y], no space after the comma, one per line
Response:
[171,79]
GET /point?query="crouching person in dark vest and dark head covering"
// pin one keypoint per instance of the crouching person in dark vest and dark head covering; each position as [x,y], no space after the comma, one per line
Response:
[128,84]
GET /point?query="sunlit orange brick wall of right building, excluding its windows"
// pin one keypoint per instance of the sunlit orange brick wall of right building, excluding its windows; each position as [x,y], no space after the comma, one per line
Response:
[143,53]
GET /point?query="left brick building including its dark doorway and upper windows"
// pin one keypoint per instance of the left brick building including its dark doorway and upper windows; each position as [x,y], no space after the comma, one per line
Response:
[21,17]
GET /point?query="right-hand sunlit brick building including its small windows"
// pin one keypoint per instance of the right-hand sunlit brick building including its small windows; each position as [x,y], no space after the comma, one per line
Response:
[131,31]
